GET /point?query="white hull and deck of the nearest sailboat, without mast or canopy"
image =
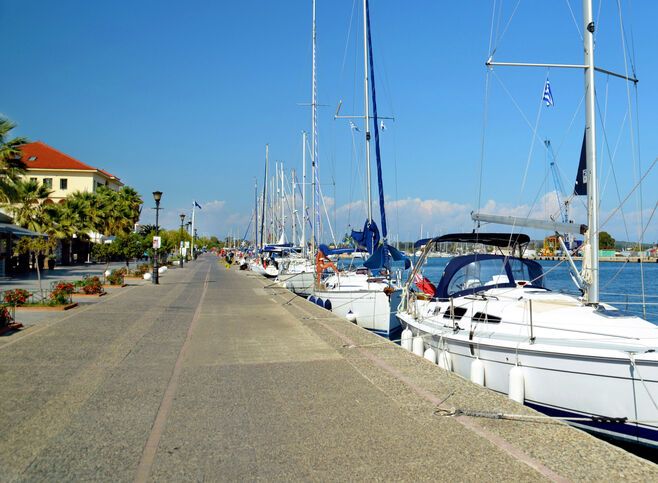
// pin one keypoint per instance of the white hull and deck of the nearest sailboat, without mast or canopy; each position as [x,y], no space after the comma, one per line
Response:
[579,374]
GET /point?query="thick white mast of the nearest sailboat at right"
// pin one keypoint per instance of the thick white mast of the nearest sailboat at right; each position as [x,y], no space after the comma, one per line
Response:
[592,235]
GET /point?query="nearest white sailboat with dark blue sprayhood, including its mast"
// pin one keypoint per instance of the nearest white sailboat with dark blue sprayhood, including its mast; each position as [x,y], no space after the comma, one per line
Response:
[490,319]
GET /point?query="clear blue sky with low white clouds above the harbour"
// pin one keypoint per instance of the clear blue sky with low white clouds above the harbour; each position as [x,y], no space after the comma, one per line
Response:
[182,97]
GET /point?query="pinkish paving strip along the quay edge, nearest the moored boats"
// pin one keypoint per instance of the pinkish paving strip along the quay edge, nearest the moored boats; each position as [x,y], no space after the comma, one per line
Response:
[473,425]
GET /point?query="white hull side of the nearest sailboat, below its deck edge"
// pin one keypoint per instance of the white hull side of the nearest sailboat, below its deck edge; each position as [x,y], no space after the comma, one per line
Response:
[562,383]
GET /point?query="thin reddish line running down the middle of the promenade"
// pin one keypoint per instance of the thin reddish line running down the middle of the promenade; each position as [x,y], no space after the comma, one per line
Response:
[151,447]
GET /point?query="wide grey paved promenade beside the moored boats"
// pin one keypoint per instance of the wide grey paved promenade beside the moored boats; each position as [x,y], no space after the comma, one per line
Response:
[215,376]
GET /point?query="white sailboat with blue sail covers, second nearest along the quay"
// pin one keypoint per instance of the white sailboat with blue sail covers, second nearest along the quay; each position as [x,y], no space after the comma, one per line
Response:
[368,295]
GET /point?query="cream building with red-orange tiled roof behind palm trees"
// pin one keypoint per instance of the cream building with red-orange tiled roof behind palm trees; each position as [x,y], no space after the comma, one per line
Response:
[61,173]
